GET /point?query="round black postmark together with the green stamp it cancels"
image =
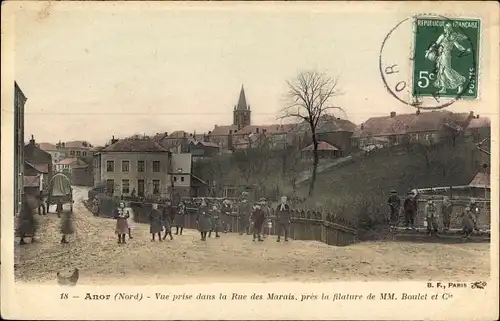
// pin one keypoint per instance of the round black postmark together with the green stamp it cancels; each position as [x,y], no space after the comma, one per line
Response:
[431,61]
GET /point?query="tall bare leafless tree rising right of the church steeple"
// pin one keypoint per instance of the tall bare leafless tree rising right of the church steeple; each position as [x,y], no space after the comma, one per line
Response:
[308,98]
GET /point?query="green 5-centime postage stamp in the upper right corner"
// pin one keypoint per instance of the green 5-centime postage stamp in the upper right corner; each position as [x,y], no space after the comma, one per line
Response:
[445,62]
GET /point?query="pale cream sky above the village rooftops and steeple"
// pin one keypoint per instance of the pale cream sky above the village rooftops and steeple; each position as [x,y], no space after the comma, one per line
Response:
[91,71]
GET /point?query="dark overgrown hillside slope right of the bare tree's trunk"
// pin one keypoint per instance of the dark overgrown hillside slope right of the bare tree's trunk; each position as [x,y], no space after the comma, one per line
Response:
[360,188]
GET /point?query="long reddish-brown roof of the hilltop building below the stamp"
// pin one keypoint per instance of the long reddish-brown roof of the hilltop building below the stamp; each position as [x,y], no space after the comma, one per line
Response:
[405,123]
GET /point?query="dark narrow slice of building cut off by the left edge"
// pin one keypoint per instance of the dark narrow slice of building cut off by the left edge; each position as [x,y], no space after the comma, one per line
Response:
[19,102]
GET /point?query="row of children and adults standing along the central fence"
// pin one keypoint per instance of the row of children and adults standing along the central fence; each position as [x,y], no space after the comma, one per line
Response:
[211,218]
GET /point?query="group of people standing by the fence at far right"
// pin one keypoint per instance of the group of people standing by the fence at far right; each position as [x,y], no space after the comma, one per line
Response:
[433,213]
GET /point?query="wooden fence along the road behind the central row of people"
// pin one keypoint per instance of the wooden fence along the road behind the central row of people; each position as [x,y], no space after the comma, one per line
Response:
[305,225]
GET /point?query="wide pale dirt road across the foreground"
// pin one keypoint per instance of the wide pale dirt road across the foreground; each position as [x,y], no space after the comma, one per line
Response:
[94,249]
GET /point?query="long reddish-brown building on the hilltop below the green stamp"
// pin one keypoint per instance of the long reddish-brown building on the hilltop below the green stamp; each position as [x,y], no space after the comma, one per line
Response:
[426,127]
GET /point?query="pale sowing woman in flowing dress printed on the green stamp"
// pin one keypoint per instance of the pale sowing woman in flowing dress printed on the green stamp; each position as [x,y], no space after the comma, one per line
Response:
[446,77]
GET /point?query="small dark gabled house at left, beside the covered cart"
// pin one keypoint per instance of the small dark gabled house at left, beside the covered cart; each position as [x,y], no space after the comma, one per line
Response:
[37,162]
